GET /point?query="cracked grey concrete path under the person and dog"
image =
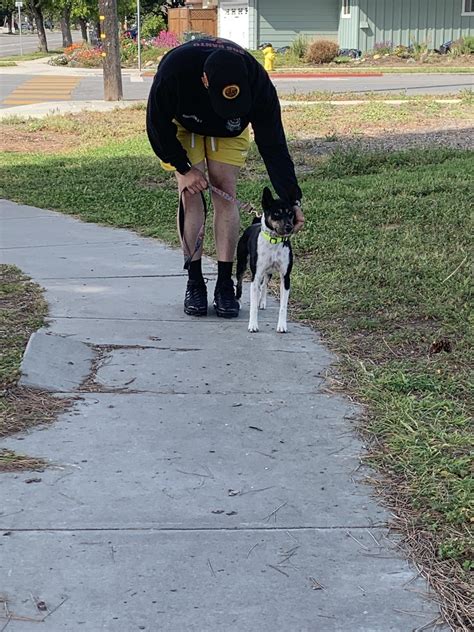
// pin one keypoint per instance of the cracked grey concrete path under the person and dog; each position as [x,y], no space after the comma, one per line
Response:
[204,479]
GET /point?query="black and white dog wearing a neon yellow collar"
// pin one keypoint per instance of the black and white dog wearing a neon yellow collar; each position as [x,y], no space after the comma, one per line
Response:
[267,244]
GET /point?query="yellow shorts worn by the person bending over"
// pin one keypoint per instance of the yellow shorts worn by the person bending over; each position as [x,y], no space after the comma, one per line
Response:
[230,151]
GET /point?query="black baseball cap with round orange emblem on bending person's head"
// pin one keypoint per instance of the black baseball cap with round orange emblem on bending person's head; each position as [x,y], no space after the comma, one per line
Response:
[229,88]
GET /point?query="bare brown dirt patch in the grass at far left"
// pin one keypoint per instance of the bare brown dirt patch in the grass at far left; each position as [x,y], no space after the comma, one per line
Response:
[45,142]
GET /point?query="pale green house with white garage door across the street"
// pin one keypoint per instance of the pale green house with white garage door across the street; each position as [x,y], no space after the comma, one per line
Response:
[353,23]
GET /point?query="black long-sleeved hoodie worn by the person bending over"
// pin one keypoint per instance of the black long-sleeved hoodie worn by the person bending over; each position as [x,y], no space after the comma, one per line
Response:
[178,94]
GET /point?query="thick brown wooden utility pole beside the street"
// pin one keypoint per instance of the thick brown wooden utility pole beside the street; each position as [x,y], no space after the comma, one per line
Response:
[110,50]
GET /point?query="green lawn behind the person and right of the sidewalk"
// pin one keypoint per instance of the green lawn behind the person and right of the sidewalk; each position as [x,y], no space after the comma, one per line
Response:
[381,270]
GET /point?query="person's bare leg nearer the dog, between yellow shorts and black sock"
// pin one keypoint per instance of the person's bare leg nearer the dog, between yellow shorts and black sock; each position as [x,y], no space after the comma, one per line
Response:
[226,218]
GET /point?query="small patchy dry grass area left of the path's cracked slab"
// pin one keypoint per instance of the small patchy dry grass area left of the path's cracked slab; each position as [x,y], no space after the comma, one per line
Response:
[22,311]
